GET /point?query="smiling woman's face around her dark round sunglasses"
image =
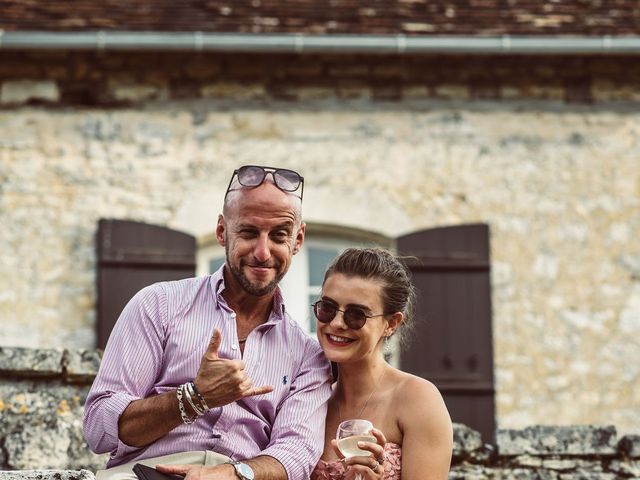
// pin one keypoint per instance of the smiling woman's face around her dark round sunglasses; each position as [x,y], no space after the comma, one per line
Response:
[340,343]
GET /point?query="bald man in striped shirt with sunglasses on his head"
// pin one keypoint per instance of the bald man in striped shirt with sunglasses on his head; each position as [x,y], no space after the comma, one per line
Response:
[215,364]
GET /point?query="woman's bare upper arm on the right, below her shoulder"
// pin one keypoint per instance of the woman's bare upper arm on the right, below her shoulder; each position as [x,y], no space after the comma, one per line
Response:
[427,440]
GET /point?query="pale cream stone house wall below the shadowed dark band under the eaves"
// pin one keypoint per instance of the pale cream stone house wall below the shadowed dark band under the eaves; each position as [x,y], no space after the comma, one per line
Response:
[559,190]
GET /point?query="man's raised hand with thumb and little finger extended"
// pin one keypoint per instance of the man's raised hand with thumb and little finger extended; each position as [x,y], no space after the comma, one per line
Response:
[222,381]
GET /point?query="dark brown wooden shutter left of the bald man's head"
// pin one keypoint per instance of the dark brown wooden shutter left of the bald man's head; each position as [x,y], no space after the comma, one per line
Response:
[132,255]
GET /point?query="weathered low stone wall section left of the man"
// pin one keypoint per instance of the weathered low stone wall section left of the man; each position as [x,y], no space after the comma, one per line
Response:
[42,395]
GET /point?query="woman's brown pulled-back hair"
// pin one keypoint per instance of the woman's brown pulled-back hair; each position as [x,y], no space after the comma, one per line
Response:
[398,293]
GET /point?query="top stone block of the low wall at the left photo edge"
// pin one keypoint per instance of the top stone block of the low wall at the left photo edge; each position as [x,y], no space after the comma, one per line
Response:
[18,362]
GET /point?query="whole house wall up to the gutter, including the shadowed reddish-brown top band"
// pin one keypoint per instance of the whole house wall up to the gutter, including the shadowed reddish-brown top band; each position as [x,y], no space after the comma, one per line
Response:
[543,149]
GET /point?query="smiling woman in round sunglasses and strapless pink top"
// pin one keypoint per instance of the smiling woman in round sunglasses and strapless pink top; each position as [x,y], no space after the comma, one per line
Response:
[366,297]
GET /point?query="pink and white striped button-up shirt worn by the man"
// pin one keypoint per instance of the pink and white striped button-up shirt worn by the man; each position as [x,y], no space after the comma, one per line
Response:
[157,344]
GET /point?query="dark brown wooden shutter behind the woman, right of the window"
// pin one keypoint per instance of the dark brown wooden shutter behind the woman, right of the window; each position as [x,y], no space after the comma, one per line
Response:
[452,342]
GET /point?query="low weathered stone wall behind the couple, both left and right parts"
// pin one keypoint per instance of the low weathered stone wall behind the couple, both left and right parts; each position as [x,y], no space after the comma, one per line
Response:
[42,393]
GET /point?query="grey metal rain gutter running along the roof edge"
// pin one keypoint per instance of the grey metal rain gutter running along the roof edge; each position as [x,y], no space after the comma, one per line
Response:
[303,43]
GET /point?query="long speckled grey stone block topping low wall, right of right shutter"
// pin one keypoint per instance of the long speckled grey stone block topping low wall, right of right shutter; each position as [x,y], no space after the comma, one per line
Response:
[580,440]
